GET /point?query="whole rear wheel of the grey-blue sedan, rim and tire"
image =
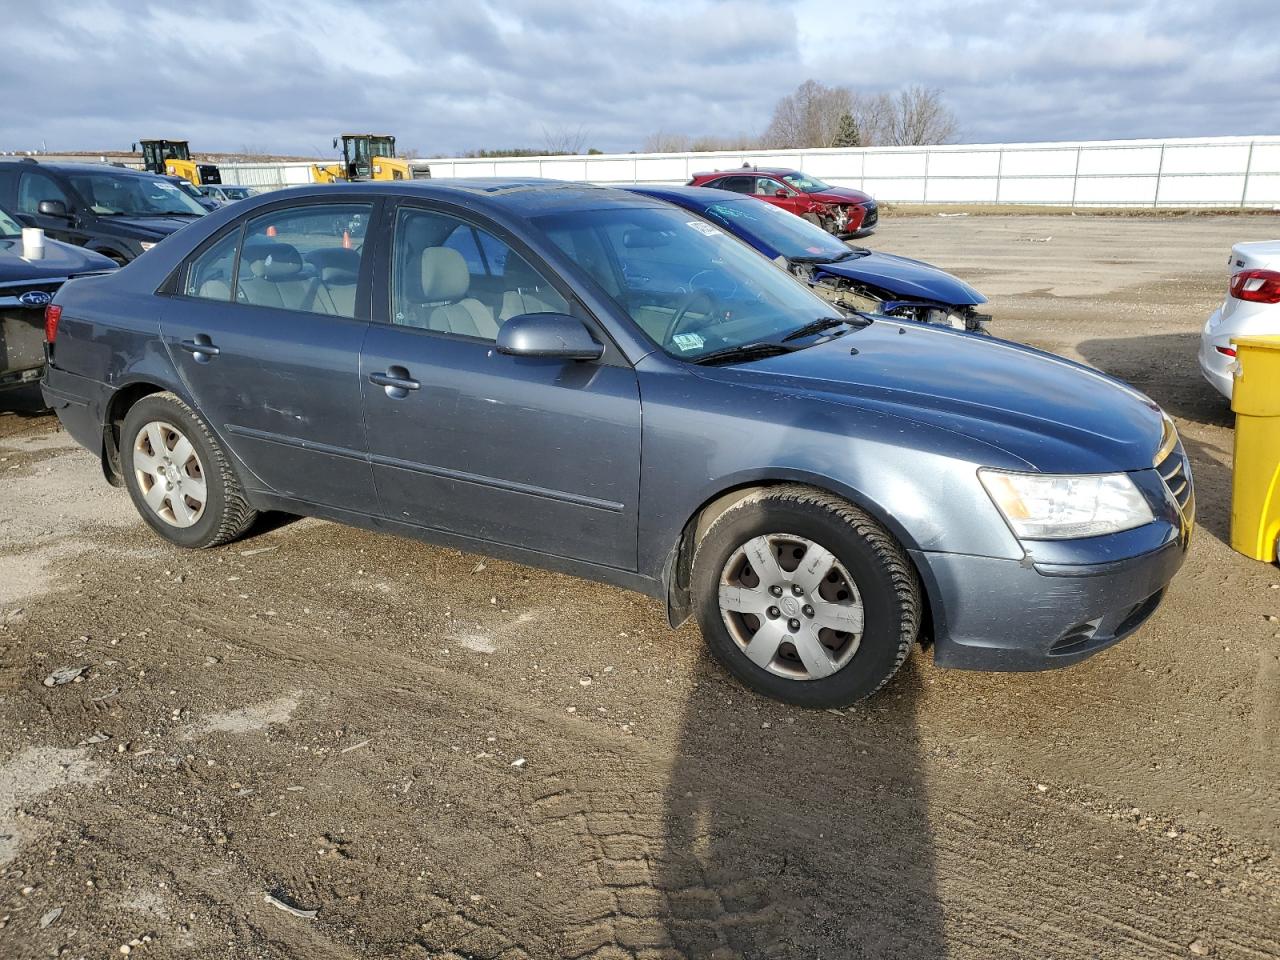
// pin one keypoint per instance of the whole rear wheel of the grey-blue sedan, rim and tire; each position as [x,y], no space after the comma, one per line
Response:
[179,476]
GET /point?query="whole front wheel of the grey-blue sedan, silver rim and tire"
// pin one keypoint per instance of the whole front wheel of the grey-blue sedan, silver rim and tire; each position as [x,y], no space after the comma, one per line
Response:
[806,598]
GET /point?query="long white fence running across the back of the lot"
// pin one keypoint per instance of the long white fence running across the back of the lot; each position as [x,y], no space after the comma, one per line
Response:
[1224,172]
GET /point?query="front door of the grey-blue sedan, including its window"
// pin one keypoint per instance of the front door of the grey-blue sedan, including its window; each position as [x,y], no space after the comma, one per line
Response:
[537,454]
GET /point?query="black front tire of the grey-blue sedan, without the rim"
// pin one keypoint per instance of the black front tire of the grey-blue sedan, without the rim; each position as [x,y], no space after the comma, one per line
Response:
[890,591]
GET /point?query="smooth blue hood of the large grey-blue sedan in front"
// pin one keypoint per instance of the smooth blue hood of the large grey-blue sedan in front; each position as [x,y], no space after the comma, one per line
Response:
[1045,413]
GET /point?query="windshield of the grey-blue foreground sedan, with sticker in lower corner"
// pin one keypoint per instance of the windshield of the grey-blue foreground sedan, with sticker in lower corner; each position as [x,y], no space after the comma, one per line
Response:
[693,289]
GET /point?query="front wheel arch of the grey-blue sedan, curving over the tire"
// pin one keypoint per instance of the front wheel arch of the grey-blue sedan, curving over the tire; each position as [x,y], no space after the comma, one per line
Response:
[679,565]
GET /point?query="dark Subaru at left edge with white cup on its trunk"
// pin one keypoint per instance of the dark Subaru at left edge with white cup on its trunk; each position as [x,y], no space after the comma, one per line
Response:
[28,286]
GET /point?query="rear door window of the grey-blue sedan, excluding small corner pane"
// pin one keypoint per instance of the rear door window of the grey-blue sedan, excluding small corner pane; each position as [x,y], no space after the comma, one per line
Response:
[305,259]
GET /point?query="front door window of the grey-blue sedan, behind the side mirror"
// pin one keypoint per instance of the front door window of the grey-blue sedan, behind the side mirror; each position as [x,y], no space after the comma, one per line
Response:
[452,277]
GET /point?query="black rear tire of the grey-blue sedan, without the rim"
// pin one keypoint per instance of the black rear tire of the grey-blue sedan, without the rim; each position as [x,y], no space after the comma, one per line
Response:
[227,514]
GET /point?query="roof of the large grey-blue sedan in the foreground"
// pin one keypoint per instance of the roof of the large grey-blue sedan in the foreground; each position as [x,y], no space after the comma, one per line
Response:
[510,196]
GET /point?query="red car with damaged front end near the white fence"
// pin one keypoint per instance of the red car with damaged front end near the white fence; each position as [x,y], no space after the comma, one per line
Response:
[839,211]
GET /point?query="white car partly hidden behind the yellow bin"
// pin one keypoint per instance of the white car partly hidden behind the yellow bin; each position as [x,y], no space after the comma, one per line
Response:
[1252,308]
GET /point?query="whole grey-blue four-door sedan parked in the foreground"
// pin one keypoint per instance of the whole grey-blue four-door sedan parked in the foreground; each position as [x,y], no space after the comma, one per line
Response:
[483,371]
